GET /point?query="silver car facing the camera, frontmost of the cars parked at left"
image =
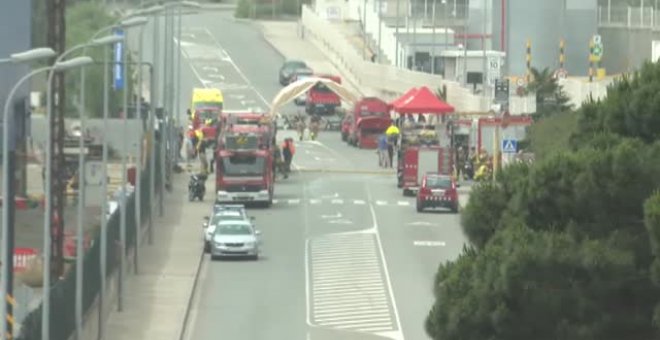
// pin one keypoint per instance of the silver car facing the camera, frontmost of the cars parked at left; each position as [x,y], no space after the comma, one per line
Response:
[235,239]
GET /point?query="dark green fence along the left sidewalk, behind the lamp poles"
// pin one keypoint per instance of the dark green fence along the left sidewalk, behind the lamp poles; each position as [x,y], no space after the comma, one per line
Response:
[62,299]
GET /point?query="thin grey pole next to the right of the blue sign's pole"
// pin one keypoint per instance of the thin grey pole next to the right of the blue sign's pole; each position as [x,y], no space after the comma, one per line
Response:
[138,166]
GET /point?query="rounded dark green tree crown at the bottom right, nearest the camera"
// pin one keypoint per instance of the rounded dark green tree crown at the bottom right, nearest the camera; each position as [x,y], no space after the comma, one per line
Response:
[529,284]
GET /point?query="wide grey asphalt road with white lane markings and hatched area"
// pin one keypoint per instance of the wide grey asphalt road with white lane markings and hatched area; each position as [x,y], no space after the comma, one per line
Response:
[345,256]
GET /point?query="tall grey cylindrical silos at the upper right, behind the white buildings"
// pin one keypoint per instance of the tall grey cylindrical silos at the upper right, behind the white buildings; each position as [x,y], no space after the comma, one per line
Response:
[544,22]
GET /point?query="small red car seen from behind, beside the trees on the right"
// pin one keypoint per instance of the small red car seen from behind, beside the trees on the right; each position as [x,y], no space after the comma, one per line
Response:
[437,191]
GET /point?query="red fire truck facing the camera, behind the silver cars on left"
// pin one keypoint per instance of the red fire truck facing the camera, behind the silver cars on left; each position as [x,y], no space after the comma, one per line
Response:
[244,170]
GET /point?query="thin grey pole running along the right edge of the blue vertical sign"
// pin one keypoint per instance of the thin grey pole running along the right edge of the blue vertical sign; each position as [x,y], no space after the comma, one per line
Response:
[124,179]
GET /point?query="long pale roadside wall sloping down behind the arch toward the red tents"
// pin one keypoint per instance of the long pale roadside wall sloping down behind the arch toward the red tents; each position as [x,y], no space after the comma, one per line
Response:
[388,81]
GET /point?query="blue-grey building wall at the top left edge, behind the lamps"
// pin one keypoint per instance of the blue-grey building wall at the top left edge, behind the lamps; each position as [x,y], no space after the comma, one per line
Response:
[16,36]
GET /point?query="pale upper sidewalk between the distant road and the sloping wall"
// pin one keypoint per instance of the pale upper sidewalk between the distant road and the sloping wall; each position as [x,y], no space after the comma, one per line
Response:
[285,37]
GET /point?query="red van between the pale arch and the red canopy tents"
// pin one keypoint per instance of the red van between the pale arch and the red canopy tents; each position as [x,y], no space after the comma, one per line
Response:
[369,120]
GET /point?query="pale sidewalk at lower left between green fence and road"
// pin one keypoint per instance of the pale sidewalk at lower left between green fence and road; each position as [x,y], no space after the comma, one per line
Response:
[156,299]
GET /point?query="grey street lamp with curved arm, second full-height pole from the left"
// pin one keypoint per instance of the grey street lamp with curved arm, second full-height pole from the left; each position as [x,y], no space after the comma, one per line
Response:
[45,316]
